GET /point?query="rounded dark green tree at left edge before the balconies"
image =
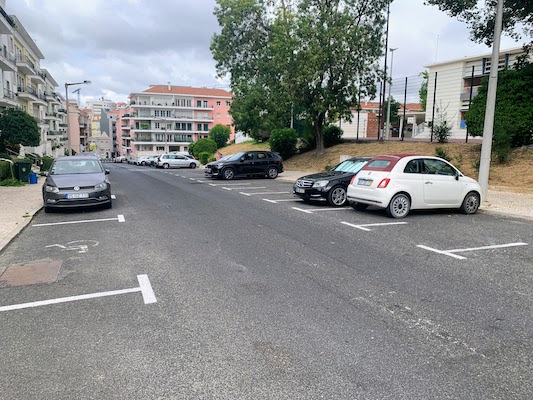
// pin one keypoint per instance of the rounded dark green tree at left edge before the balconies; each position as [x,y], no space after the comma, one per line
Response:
[18,128]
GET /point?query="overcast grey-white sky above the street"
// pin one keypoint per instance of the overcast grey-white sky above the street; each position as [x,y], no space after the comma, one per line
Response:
[124,46]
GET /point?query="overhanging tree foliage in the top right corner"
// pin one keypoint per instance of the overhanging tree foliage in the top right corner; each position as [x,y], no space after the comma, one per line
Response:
[480,17]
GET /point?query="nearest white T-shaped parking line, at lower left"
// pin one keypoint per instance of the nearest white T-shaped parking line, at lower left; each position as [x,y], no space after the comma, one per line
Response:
[144,287]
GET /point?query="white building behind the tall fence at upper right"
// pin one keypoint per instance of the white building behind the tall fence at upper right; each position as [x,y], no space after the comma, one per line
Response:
[455,81]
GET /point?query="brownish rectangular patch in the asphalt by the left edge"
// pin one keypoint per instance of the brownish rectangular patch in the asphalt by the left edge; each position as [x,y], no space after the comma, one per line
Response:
[42,271]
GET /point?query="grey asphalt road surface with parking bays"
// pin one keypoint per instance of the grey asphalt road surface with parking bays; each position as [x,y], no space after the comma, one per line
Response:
[260,296]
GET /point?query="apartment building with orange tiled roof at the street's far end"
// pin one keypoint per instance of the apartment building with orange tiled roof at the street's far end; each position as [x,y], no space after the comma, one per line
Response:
[168,118]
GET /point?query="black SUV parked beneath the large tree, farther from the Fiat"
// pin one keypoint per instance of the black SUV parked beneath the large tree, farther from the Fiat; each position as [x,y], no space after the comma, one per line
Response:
[246,163]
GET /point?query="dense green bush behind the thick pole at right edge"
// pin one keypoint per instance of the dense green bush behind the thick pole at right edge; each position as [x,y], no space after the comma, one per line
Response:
[513,120]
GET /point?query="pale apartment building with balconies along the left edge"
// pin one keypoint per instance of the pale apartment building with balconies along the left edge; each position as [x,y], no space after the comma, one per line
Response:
[25,85]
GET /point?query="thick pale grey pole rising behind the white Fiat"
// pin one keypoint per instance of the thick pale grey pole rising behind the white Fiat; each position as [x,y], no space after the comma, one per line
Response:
[488,127]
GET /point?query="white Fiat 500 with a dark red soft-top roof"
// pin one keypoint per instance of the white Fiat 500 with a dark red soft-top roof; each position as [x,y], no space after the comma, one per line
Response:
[400,183]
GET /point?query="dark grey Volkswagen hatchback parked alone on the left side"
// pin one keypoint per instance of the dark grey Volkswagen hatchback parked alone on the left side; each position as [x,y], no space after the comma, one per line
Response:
[76,181]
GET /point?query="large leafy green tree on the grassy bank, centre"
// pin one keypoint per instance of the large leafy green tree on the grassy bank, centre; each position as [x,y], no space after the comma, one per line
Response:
[315,56]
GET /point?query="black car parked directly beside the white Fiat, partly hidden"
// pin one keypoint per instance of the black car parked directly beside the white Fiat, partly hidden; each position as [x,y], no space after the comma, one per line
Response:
[330,185]
